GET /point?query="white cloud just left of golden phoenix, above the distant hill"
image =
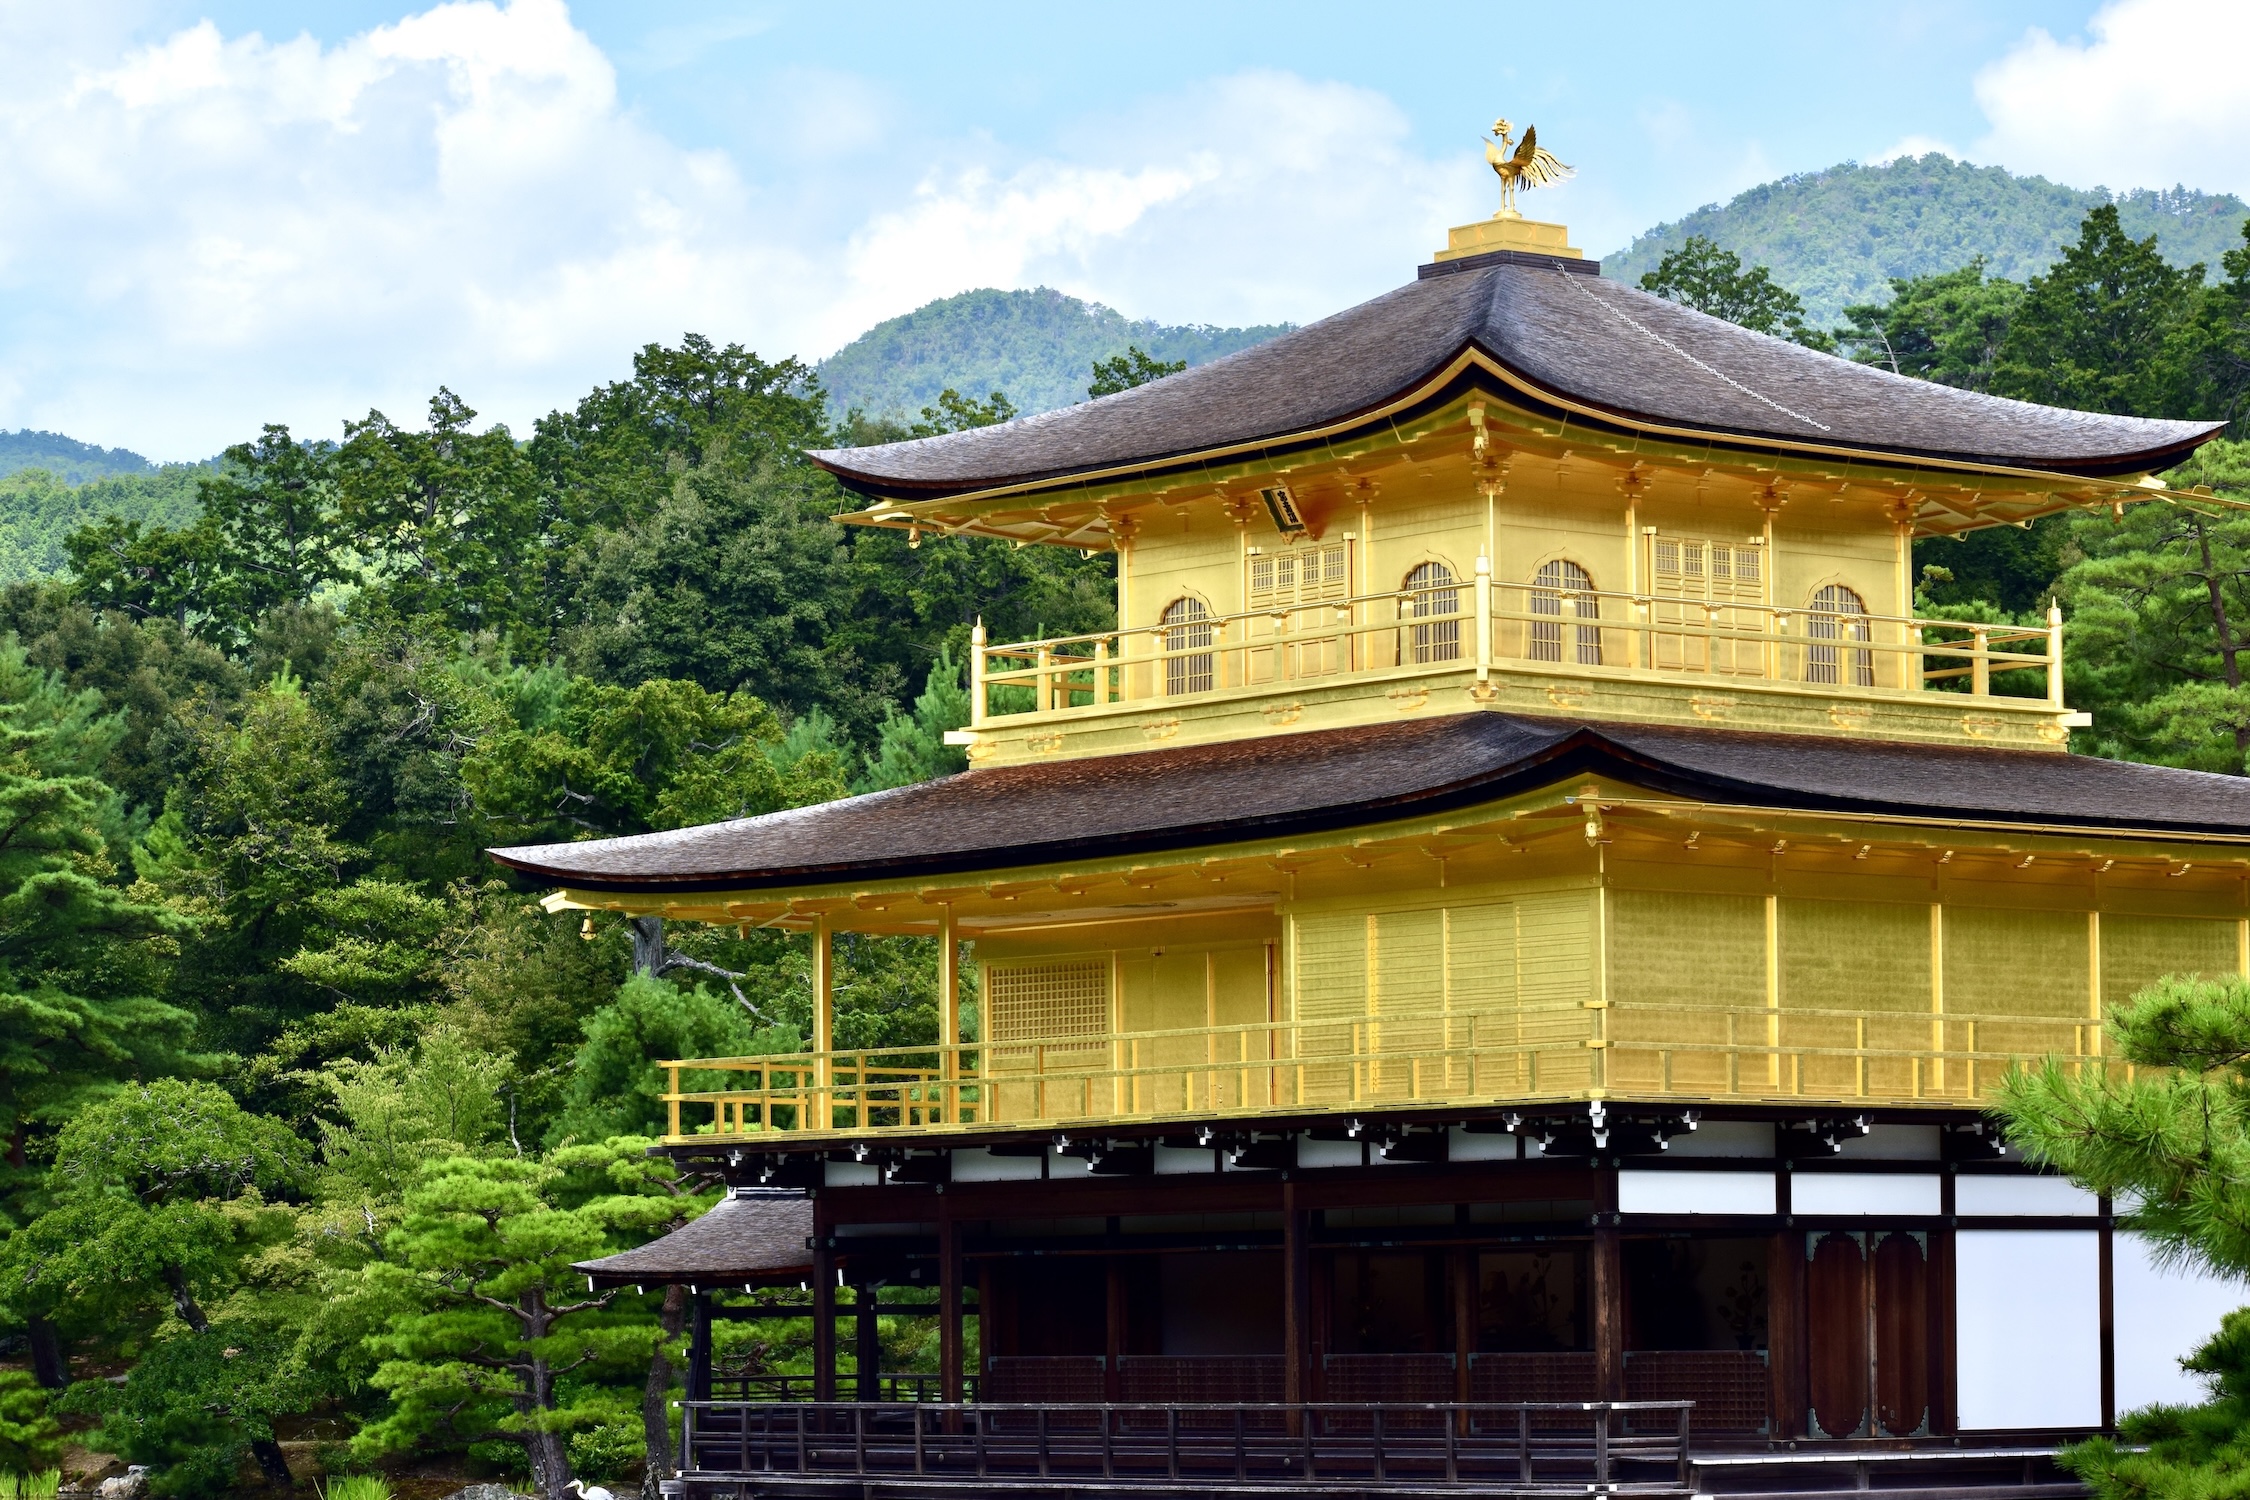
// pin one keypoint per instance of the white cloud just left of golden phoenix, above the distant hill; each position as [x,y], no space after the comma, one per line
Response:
[1252,199]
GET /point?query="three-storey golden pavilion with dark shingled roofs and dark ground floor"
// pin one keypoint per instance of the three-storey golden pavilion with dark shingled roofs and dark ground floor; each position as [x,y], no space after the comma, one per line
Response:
[1491,970]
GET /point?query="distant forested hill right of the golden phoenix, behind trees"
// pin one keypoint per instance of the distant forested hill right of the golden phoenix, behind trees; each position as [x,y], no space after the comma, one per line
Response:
[1839,237]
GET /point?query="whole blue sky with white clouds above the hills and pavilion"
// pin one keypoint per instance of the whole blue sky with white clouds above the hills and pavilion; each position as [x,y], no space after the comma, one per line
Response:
[240,213]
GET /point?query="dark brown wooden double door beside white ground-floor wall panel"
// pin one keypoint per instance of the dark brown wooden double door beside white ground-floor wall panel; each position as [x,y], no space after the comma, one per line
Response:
[1866,1335]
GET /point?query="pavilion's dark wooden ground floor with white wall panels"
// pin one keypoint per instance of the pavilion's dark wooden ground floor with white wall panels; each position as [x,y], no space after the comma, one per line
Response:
[1824,1301]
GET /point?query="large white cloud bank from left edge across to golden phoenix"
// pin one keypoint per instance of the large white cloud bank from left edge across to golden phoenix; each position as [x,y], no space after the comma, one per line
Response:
[206,233]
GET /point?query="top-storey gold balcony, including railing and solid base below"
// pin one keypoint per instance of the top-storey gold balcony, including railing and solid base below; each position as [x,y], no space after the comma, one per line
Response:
[1486,644]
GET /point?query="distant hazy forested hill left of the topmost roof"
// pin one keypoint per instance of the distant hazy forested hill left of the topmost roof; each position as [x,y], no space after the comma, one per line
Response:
[1032,345]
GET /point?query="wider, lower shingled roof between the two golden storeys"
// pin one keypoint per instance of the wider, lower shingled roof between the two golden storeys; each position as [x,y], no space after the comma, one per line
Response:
[1286,786]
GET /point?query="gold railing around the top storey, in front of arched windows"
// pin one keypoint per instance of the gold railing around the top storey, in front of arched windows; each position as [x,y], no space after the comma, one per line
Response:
[1482,624]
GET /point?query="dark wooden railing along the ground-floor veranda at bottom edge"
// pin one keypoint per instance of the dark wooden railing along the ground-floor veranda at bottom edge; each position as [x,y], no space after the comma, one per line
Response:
[1594,1447]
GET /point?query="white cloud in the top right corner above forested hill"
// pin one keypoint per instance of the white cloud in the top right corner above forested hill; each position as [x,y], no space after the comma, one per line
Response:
[2152,100]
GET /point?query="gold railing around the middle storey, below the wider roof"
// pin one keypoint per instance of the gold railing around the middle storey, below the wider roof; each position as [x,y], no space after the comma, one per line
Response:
[1538,1054]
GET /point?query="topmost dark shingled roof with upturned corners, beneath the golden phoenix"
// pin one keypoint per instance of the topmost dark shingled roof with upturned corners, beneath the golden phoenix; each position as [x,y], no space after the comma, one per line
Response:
[1630,356]
